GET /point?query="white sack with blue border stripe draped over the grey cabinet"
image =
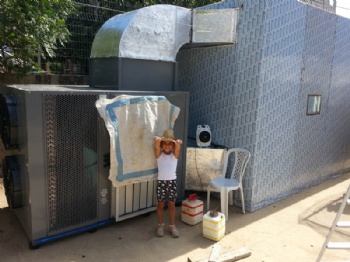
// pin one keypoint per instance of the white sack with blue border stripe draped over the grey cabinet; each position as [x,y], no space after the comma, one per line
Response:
[132,122]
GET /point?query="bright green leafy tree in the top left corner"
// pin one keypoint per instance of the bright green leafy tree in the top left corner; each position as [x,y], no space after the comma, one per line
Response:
[29,27]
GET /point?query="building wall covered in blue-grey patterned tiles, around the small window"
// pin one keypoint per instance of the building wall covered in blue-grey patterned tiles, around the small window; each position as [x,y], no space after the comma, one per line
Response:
[253,95]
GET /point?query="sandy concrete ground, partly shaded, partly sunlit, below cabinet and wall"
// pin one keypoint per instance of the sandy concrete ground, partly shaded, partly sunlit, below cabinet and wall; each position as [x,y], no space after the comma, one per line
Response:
[293,229]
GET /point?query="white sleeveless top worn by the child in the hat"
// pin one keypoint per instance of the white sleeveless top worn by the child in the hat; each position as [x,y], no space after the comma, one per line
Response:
[167,167]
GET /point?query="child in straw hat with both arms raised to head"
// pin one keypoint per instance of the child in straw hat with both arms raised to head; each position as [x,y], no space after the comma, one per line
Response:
[167,151]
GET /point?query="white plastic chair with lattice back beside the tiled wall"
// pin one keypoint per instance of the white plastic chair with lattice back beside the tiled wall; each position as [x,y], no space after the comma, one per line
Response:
[226,185]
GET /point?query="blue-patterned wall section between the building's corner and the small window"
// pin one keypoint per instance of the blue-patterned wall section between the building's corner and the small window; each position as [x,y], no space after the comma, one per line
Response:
[279,108]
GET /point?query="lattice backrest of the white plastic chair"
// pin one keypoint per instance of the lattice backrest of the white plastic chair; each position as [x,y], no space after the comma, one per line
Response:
[241,159]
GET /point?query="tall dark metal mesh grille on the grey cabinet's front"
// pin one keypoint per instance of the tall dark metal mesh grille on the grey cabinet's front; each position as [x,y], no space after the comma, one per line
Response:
[71,138]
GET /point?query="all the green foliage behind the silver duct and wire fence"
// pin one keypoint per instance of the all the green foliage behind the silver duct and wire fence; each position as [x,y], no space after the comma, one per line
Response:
[32,27]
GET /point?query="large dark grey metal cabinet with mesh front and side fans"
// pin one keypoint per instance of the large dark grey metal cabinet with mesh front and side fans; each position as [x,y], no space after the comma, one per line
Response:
[61,181]
